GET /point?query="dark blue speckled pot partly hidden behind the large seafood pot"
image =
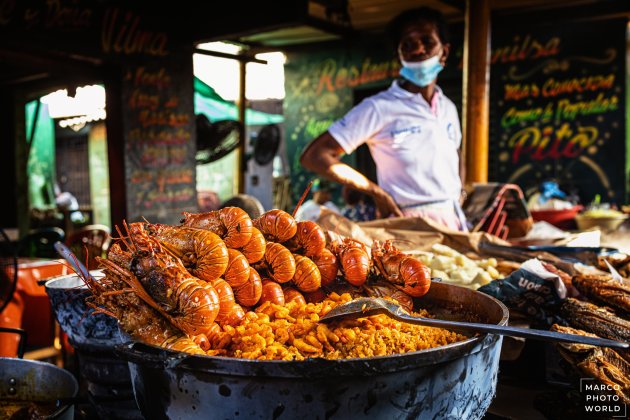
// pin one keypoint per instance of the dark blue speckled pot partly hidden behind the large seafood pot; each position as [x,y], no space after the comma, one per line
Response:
[94,336]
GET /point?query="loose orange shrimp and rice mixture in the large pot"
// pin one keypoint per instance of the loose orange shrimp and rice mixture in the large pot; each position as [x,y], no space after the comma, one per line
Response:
[292,332]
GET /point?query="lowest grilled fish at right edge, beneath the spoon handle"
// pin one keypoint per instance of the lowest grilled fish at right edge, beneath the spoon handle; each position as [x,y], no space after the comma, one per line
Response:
[602,364]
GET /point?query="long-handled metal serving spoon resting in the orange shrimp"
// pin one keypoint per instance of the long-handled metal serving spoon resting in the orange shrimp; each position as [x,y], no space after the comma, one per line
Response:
[363,307]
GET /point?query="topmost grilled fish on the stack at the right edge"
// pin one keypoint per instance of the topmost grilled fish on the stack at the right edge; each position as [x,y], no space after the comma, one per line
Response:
[603,289]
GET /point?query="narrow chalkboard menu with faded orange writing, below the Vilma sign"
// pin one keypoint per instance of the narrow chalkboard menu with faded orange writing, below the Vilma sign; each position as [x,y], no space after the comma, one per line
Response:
[159,138]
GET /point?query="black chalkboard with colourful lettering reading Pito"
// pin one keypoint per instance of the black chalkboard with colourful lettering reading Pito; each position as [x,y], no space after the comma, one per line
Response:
[558,107]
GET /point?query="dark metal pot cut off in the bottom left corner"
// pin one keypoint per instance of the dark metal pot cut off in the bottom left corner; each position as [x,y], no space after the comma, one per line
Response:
[34,385]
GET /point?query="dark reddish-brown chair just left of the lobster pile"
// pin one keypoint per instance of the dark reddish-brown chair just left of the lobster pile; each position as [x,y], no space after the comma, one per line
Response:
[94,239]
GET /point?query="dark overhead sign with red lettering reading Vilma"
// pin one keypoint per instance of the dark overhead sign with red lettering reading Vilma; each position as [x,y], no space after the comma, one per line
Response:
[91,28]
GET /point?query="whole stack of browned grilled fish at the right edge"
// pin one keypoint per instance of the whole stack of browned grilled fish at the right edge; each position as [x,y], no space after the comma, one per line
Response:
[607,315]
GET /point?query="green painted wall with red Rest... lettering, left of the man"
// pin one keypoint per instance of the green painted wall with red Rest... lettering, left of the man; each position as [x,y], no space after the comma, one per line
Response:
[320,88]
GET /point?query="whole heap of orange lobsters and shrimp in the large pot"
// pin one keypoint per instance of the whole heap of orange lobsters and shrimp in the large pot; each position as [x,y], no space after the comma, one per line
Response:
[223,284]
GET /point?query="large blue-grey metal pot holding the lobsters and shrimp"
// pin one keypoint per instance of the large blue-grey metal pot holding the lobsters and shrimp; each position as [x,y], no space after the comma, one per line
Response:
[454,381]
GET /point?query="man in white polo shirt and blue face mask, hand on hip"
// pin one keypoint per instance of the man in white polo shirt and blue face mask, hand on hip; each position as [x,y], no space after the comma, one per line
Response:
[412,130]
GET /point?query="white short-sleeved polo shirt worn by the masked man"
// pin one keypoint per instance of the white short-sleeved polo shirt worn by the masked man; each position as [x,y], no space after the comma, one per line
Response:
[414,150]
